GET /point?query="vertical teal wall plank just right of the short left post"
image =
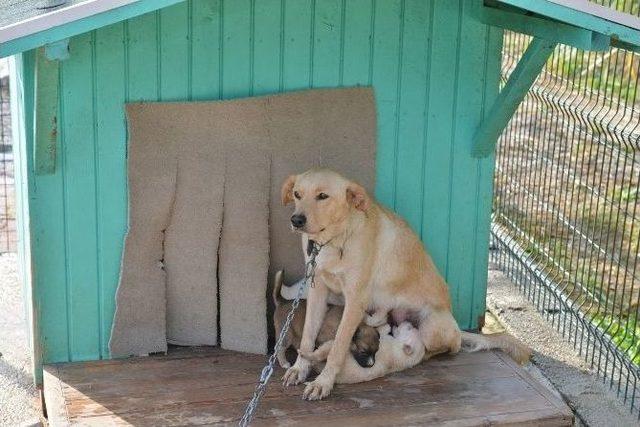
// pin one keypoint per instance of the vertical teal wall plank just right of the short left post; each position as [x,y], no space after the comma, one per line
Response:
[78,154]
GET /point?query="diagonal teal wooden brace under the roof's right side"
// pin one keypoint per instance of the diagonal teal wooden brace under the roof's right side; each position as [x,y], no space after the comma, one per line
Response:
[513,92]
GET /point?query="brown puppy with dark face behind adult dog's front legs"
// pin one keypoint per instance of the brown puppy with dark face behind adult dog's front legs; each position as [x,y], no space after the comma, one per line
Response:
[364,343]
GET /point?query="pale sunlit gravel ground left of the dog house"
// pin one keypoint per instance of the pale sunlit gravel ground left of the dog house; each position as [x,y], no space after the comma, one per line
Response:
[18,402]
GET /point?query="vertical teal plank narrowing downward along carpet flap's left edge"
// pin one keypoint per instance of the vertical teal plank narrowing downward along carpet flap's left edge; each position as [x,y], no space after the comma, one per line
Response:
[109,81]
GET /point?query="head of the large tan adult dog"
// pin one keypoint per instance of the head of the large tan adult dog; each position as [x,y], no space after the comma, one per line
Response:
[323,199]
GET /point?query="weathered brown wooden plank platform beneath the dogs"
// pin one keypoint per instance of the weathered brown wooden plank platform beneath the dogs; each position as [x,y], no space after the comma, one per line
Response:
[211,387]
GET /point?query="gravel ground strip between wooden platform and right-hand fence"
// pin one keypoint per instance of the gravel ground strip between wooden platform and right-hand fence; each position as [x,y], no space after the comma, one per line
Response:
[585,393]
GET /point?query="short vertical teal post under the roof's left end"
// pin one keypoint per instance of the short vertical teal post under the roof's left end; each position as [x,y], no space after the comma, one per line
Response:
[46,113]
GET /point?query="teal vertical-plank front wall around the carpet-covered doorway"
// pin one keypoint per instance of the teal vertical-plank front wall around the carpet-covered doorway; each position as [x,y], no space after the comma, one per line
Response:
[434,68]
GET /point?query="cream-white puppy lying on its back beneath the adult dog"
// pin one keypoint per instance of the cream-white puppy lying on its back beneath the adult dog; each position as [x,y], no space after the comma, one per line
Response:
[398,351]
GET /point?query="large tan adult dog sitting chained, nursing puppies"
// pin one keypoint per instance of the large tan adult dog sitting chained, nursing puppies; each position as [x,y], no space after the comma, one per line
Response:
[371,257]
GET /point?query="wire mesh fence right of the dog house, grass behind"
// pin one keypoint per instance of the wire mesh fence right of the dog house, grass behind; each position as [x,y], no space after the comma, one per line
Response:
[566,214]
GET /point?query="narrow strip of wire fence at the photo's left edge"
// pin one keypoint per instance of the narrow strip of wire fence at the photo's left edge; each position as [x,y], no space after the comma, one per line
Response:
[8,236]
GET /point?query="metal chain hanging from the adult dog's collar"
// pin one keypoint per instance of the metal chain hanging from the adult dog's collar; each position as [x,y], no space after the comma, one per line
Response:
[267,371]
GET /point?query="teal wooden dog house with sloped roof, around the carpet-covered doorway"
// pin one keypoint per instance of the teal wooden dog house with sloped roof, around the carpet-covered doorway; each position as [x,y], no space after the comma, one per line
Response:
[433,67]
